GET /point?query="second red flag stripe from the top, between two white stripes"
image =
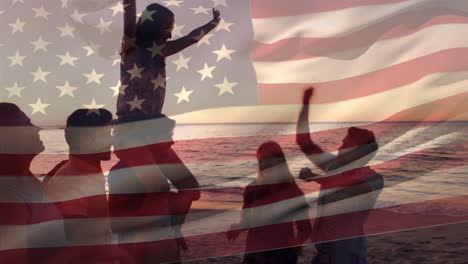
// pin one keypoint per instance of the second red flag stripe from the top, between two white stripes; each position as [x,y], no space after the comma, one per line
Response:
[399,26]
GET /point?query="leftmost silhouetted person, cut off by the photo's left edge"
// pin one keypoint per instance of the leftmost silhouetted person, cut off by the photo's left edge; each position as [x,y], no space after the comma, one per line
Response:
[27,222]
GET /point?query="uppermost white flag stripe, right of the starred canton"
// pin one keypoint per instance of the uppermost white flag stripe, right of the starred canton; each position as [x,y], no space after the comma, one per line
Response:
[340,22]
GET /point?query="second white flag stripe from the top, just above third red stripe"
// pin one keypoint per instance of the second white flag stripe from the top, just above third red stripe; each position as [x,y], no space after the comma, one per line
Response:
[381,55]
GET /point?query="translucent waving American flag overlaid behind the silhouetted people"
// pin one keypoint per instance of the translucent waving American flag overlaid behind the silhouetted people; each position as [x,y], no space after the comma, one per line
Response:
[384,60]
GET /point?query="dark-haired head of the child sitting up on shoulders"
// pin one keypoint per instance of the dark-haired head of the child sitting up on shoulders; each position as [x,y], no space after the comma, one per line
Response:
[155,25]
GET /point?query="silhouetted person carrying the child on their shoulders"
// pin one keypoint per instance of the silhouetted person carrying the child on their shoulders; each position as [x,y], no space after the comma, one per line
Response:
[138,186]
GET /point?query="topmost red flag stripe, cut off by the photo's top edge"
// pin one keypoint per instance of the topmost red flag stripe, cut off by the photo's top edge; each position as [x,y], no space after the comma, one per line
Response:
[279,8]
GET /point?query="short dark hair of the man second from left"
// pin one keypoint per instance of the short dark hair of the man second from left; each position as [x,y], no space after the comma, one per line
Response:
[82,118]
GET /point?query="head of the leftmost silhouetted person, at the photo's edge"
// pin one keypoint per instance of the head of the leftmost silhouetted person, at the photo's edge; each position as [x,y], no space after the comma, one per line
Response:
[20,140]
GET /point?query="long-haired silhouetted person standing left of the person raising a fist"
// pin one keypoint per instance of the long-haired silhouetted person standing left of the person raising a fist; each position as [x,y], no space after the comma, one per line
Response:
[273,205]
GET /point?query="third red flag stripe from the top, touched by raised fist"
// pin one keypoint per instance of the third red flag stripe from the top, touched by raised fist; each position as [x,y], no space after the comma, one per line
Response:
[451,60]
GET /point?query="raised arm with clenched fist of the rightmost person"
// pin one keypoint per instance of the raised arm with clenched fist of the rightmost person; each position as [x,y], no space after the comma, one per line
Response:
[321,159]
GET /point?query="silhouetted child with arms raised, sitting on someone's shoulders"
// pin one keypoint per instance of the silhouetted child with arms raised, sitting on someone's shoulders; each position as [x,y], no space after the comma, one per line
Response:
[145,47]
